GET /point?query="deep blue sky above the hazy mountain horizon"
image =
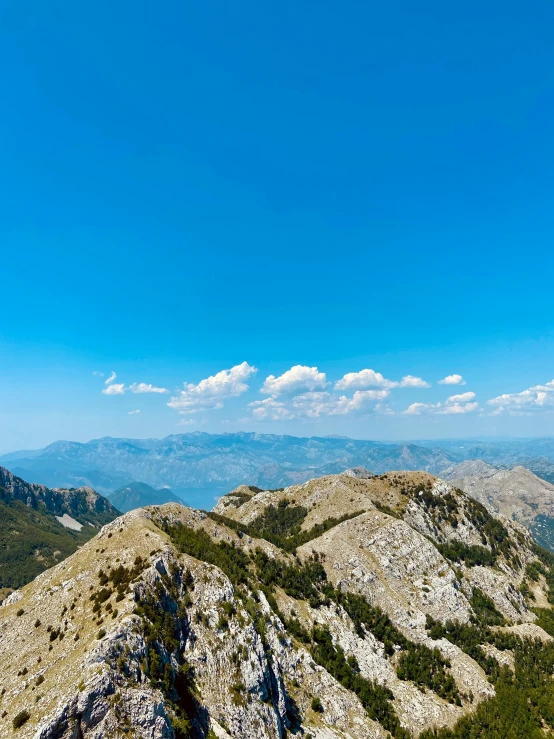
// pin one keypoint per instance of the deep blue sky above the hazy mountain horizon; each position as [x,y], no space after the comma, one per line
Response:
[189,187]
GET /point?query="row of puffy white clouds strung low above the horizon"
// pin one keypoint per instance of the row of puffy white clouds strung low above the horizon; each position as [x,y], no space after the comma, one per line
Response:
[305,392]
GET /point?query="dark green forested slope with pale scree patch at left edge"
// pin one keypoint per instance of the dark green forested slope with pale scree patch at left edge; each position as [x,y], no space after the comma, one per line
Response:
[39,526]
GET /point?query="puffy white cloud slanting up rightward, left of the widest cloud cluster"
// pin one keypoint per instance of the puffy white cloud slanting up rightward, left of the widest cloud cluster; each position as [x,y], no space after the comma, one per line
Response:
[209,393]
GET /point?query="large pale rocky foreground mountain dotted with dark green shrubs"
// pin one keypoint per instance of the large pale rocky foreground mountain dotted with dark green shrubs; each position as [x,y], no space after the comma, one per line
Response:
[346,607]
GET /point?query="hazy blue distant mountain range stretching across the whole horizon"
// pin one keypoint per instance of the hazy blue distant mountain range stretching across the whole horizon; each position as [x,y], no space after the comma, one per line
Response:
[200,467]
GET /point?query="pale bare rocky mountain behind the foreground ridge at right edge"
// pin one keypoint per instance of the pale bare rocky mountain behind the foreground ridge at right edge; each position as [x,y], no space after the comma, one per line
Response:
[518,494]
